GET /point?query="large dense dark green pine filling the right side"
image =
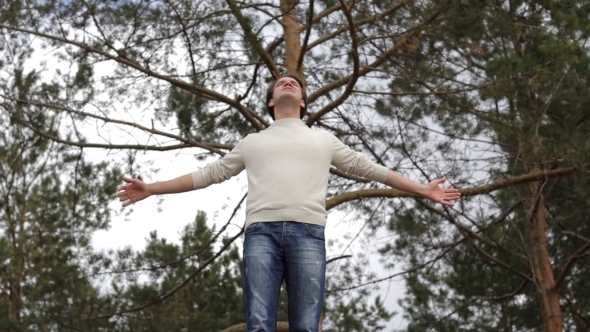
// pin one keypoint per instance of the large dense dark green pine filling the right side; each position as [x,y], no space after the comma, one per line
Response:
[514,76]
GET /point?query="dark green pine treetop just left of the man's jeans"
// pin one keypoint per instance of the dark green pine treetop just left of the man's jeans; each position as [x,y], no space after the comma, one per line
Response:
[211,301]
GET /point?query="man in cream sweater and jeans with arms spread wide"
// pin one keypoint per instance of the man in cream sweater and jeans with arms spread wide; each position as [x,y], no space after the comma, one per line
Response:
[288,167]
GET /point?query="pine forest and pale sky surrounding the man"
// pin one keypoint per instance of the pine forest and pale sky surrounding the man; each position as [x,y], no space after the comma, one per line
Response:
[494,95]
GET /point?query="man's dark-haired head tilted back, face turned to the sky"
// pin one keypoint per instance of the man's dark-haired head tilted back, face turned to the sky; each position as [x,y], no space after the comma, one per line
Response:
[286,90]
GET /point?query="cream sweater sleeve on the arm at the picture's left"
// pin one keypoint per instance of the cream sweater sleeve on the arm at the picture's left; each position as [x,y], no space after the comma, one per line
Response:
[218,171]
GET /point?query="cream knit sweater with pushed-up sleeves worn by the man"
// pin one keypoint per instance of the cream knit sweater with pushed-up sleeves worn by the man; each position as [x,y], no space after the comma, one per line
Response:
[288,166]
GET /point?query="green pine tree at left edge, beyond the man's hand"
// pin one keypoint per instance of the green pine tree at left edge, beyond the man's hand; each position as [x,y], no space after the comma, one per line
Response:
[52,200]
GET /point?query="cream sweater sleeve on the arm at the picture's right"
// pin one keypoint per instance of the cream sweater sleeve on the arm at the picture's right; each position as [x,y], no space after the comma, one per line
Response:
[356,163]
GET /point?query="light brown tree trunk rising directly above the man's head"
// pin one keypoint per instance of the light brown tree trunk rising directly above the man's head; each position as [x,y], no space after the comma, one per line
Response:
[292,40]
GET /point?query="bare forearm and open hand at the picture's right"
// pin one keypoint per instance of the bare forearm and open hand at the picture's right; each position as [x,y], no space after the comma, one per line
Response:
[431,190]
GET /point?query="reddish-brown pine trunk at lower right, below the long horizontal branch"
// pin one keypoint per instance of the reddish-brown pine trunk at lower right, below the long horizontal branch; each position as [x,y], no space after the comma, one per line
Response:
[541,263]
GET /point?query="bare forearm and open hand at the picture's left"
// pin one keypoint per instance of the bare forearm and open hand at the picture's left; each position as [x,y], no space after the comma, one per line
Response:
[135,190]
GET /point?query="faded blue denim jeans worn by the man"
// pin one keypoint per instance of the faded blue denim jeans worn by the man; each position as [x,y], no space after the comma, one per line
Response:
[292,251]
